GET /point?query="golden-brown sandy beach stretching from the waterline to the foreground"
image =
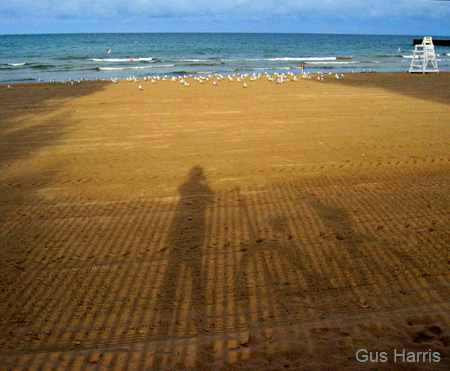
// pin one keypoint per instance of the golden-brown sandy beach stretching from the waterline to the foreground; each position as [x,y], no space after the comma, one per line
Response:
[274,227]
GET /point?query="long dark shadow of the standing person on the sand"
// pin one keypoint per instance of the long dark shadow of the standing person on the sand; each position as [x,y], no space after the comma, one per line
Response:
[181,303]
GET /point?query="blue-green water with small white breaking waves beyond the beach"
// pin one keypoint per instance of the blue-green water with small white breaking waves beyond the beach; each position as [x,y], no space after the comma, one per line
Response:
[60,57]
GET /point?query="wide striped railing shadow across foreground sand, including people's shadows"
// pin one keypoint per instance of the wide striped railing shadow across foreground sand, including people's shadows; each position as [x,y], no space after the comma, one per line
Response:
[197,283]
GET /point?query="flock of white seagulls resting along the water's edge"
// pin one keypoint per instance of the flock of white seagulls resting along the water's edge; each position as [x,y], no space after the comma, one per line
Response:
[239,78]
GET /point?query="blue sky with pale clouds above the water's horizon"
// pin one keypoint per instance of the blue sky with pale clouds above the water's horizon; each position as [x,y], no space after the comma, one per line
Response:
[395,17]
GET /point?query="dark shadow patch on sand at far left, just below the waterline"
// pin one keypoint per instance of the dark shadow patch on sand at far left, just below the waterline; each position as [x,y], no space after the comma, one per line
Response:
[32,117]
